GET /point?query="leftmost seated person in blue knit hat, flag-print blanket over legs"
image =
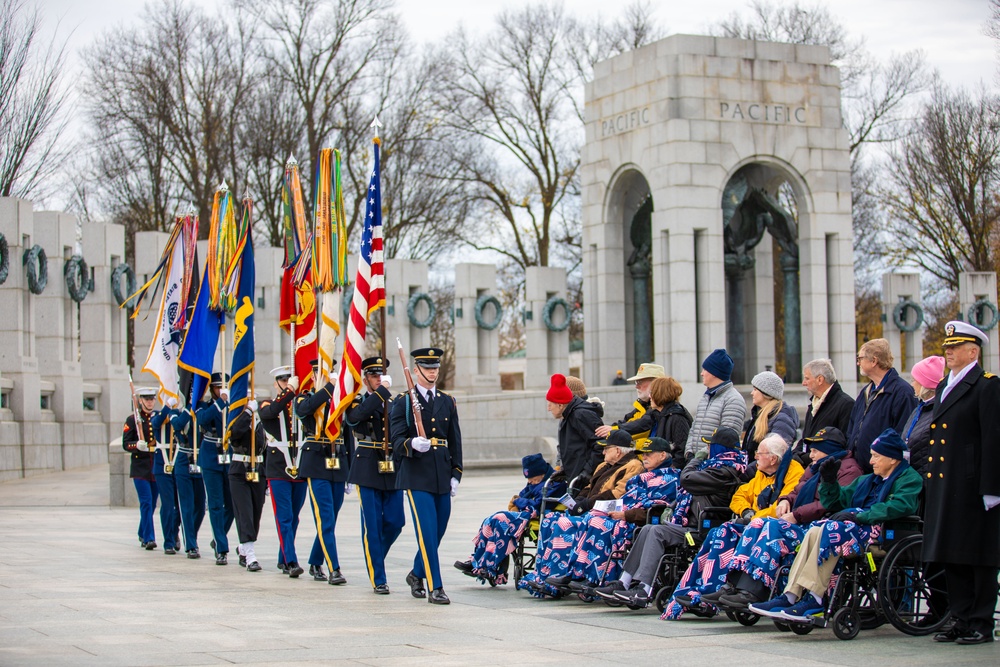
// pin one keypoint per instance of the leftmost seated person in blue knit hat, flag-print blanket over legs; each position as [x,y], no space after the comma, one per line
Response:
[497,537]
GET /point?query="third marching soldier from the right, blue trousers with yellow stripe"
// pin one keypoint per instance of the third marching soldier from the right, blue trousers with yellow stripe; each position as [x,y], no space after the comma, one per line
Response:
[325,483]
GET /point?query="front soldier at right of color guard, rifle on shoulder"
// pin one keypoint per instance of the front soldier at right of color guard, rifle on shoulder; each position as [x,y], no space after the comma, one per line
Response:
[429,469]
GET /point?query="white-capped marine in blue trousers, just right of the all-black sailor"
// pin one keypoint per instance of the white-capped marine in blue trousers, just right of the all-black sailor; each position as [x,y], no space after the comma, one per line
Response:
[288,491]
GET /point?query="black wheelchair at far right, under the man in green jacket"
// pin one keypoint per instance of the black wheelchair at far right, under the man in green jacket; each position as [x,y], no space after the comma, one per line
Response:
[889,582]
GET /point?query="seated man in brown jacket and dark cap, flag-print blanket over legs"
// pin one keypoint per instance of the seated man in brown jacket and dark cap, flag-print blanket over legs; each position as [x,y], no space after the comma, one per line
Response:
[573,545]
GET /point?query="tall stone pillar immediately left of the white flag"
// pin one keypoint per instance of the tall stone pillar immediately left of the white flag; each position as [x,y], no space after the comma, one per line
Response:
[103,333]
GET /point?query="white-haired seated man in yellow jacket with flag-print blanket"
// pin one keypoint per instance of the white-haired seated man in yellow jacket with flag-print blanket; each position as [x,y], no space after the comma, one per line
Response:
[700,589]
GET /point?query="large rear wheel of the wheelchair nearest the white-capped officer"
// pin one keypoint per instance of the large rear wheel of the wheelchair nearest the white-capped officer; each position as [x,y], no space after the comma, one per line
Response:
[907,590]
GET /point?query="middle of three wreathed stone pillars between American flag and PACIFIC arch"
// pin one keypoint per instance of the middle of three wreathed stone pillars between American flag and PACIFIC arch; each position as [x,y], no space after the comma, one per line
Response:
[477,363]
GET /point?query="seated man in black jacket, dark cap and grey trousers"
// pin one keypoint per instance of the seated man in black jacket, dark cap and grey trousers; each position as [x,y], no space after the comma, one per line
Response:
[708,480]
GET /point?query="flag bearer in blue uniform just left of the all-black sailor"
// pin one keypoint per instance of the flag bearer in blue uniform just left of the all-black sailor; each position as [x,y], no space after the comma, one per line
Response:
[215,465]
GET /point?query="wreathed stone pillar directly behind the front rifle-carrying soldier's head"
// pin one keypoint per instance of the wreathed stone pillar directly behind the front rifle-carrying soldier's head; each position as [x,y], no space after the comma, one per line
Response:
[403,279]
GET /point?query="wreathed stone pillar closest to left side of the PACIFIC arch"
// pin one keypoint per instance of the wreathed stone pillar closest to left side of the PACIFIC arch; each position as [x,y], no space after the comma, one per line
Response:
[546,351]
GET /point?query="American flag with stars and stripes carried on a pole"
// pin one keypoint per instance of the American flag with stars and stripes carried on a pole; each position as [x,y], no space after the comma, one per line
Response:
[369,296]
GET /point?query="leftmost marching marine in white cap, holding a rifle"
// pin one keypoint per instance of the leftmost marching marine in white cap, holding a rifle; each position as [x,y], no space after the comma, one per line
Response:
[141,443]
